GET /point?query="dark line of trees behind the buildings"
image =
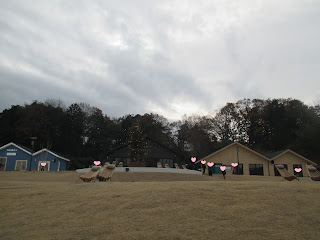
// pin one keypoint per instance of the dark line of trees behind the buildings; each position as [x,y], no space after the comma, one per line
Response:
[84,133]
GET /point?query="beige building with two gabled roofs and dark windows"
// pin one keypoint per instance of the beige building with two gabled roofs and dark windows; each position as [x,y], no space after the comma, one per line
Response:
[253,163]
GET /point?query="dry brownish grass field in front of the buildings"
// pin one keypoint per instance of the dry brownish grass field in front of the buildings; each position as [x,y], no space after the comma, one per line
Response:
[55,205]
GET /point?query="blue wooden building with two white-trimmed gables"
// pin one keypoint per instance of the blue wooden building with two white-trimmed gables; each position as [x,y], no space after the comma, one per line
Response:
[14,157]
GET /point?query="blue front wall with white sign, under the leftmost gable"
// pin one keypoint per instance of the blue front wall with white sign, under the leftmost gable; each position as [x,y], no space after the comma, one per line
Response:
[11,160]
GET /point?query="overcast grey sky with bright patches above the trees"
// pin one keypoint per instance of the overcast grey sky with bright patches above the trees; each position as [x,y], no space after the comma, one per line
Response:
[167,57]
